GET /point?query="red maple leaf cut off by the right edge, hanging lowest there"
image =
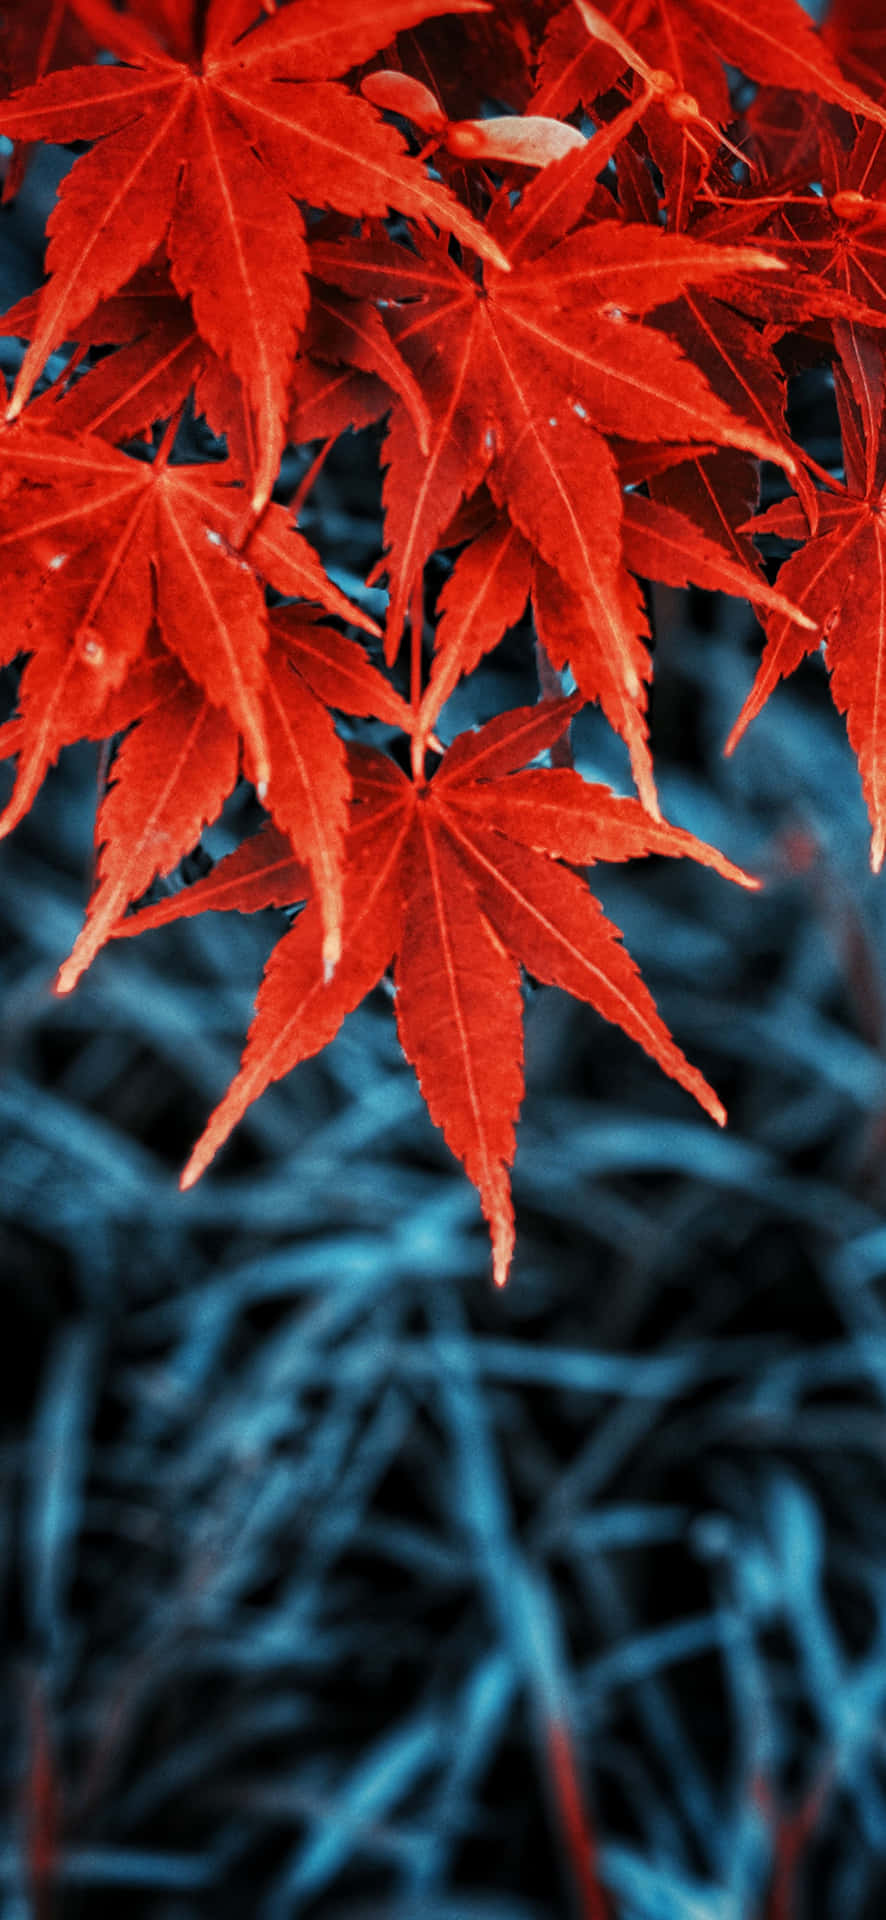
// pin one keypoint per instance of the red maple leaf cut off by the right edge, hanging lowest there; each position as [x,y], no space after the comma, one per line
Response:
[839,581]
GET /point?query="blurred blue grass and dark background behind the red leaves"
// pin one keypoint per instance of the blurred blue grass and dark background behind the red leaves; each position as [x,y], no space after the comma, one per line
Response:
[320,1554]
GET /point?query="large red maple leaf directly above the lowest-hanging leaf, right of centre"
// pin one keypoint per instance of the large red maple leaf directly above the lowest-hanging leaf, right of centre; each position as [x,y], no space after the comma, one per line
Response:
[529,372]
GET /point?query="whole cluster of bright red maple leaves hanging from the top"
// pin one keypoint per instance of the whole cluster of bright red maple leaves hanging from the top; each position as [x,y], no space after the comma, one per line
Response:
[570,254]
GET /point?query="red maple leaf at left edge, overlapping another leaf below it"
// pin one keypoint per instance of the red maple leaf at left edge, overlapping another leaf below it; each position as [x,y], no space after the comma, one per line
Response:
[99,546]
